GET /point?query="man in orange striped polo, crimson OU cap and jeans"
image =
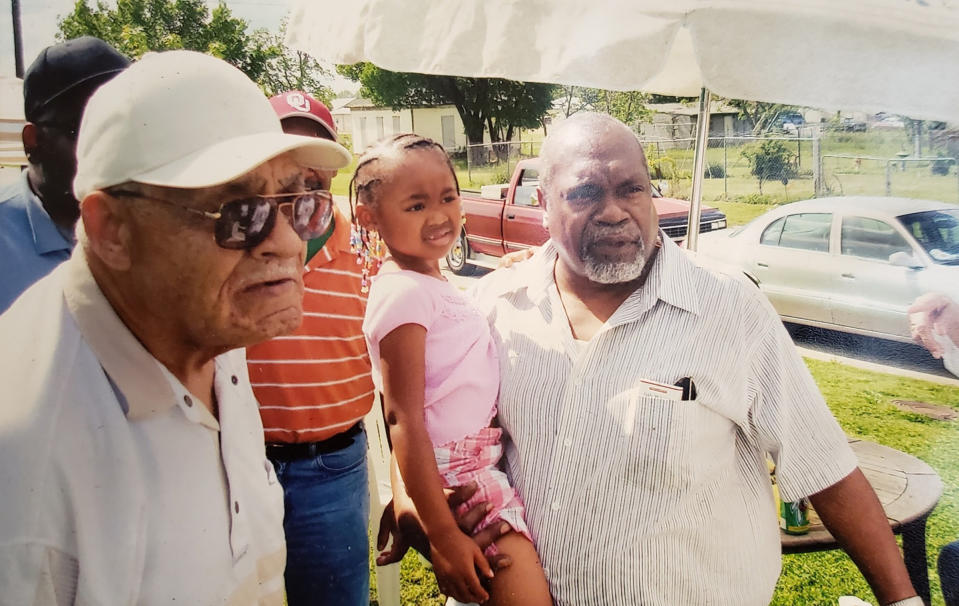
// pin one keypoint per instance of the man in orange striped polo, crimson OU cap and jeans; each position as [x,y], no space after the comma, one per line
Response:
[314,387]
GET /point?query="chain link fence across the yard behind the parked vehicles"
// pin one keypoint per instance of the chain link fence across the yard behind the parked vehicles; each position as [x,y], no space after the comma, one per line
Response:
[774,168]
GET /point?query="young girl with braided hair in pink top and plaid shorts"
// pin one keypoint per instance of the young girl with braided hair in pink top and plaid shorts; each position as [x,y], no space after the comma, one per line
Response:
[436,364]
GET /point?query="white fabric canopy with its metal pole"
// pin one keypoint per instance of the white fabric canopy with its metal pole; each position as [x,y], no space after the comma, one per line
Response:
[897,56]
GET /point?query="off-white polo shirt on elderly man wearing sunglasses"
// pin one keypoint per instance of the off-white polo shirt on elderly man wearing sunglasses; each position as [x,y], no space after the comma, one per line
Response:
[119,487]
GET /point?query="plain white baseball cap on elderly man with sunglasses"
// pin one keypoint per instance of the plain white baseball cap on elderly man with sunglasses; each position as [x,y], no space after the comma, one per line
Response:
[188,120]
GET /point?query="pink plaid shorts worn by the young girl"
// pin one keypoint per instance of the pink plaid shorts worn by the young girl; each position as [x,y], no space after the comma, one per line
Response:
[474,459]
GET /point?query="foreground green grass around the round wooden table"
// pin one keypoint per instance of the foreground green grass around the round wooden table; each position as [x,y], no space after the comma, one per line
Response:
[861,401]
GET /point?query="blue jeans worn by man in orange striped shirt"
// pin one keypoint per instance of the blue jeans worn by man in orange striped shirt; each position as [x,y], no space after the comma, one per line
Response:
[327,505]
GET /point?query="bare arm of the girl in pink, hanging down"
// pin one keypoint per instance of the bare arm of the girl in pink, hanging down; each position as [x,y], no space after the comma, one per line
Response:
[455,556]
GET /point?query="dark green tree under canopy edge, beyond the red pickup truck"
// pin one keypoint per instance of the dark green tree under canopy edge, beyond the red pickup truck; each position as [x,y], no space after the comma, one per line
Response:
[494,104]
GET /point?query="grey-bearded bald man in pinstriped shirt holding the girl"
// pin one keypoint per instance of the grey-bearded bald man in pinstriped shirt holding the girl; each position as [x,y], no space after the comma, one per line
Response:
[637,492]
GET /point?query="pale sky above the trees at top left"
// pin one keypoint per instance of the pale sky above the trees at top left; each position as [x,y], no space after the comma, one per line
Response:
[39,24]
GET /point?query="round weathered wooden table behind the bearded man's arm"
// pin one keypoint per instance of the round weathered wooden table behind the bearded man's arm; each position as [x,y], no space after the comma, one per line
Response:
[908,490]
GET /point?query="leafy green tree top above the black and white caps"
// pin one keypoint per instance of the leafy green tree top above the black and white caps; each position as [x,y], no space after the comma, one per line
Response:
[136,26]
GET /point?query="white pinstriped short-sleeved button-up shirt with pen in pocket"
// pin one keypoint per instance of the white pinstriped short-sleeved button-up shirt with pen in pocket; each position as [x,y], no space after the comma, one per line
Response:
[634,499]
